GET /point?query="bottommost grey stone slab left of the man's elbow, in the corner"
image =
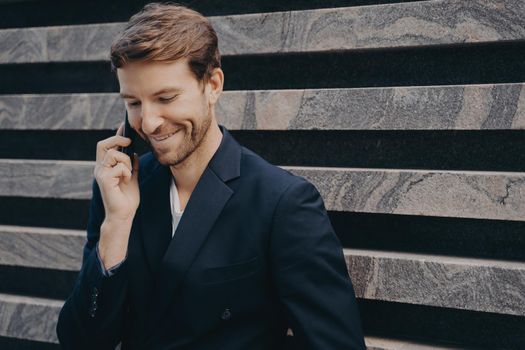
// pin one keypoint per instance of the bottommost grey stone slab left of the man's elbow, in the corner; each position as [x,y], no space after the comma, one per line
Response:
[29,318]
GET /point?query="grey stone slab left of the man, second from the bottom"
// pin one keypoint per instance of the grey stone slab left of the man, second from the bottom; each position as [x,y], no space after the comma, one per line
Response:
[41,247]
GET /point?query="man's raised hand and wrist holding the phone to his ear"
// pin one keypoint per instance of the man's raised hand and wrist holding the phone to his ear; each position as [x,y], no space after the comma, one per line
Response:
[119,189]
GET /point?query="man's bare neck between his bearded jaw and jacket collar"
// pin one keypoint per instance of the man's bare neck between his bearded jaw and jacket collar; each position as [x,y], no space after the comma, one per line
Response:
[188,173]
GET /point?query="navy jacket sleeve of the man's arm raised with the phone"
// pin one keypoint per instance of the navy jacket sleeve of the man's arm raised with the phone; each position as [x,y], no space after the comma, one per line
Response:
[92,315]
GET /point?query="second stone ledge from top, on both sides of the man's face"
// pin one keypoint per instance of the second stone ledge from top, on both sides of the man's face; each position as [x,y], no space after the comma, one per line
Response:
[462,107]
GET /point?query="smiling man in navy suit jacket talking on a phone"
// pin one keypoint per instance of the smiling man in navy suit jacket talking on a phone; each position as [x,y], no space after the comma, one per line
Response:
[200,244]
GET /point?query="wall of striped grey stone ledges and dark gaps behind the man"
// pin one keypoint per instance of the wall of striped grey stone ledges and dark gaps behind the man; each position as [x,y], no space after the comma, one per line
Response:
[408,116]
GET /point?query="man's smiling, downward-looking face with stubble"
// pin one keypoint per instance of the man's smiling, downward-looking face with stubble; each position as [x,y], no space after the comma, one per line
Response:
[167,106]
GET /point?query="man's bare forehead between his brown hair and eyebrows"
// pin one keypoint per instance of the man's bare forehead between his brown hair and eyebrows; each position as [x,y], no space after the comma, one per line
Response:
[144,78]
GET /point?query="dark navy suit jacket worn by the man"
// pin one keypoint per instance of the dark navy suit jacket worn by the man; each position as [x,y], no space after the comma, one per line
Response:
[254,254]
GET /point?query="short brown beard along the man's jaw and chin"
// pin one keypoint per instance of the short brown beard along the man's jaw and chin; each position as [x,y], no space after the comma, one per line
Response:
[192,139]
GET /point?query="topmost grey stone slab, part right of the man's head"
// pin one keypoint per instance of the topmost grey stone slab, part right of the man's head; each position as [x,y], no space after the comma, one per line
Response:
[389,25]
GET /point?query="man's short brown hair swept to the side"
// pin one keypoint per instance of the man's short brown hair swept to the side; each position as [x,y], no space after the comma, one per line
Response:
[166,32]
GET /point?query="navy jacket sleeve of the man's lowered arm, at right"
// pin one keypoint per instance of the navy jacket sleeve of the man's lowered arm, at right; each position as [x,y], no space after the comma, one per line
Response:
[311,275]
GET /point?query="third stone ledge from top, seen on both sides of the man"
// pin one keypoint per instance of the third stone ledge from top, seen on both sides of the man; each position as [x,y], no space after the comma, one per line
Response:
[463,194]
